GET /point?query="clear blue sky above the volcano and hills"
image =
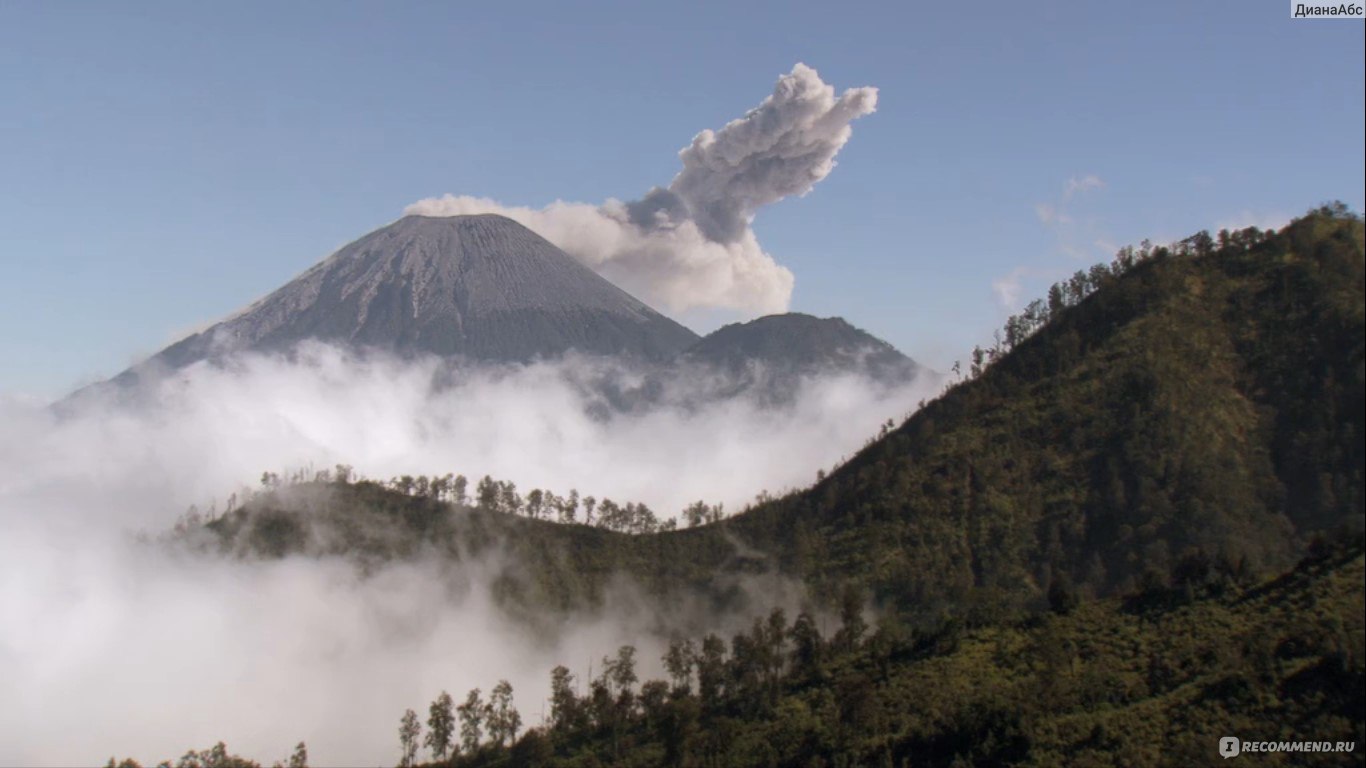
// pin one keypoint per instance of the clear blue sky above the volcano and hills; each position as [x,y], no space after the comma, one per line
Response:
[166,165]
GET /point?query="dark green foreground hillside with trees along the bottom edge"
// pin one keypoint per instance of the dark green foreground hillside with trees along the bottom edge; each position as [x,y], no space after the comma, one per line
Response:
[1152,680]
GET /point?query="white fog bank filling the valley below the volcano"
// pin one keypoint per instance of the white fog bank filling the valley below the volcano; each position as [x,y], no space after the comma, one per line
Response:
[114,646]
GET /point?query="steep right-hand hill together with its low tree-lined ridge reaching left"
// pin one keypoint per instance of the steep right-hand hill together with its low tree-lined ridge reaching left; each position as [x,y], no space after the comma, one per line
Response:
[1185,408]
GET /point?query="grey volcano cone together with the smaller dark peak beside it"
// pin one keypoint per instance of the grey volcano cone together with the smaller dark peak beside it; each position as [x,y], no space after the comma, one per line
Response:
[487,289]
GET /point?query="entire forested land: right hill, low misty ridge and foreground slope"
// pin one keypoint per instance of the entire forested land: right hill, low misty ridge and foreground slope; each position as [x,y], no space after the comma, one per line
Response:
[1133,525]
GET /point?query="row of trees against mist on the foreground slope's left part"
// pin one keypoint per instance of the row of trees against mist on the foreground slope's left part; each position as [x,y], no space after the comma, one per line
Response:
[708,680]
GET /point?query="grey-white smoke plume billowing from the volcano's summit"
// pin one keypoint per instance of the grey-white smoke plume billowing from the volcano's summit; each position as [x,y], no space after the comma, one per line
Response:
[691,245]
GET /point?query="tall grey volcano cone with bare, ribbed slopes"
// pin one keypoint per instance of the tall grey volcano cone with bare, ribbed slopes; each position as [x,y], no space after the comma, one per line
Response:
[479,286]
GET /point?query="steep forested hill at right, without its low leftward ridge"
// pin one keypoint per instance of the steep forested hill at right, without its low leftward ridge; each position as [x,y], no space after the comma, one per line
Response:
[1197,411]
